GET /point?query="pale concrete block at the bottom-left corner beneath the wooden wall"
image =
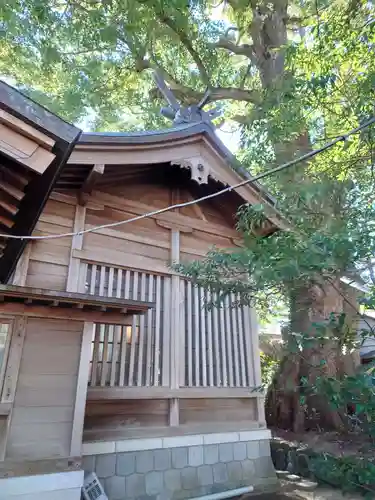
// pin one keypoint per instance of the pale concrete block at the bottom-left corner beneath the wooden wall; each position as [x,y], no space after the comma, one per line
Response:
[59,486]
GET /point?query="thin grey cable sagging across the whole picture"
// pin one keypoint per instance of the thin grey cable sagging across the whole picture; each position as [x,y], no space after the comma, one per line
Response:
[263,175]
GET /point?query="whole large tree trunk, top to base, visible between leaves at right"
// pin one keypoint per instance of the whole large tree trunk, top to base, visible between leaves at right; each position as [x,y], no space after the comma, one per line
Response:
[289,404]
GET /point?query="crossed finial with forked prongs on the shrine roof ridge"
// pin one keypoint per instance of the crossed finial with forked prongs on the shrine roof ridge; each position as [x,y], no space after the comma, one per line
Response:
[185,114]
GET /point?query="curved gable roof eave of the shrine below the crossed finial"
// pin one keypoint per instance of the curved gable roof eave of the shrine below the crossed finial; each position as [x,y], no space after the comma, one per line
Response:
[136,154]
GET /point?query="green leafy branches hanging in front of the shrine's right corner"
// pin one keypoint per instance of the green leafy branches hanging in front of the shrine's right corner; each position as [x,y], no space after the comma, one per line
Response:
[307,254]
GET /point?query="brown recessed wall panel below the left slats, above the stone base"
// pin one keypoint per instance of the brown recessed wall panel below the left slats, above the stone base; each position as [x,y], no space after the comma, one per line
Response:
[104,416]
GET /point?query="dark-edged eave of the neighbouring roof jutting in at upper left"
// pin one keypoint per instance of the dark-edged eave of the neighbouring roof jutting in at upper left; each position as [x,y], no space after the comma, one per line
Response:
[34,147]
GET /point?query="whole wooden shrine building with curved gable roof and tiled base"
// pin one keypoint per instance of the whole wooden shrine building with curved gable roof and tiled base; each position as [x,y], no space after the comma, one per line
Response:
[108,360]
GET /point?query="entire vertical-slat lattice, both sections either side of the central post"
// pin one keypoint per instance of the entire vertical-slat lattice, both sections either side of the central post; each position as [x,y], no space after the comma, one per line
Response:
[214,344]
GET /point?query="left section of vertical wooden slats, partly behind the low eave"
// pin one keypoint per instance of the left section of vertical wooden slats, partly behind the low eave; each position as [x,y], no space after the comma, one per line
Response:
[129,355]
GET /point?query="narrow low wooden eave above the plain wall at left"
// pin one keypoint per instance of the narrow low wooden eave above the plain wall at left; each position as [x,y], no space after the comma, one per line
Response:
[68,305]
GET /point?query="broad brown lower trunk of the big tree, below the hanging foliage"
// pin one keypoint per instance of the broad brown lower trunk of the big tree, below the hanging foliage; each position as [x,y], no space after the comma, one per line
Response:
[291,403]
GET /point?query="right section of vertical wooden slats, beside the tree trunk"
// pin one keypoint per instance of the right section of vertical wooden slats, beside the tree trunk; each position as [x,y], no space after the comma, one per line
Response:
[217,342]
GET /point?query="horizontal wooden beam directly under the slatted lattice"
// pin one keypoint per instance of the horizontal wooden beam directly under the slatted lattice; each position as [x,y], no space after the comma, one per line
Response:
[113,393]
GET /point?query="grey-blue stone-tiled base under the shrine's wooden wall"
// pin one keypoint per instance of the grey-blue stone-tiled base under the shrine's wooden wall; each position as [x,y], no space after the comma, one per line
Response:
[183,472]
